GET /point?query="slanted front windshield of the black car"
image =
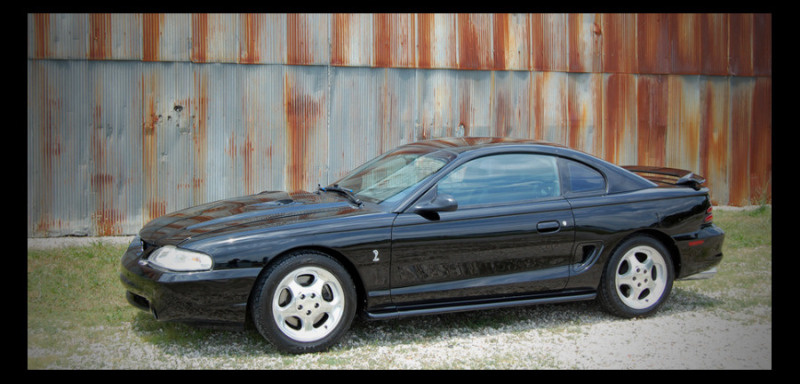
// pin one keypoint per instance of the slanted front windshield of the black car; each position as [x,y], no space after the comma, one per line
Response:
[388,178]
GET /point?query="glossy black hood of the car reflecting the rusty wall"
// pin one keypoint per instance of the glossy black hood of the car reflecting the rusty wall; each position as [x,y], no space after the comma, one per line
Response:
[263,210]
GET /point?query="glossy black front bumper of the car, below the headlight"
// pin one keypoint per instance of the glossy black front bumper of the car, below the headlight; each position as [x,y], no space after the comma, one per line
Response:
[212,297]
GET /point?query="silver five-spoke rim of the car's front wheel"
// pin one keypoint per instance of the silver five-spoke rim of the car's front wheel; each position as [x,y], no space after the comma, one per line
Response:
[308,304]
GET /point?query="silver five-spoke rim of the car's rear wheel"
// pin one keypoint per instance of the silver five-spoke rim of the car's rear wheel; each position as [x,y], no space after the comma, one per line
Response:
[641,277]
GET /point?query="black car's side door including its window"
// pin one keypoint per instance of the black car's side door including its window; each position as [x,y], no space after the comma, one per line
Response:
[510,235]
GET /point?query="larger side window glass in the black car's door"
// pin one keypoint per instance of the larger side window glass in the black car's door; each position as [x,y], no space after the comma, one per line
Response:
[502,179]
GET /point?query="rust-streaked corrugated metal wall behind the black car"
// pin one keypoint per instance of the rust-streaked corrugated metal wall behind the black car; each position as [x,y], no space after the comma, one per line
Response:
[131,116]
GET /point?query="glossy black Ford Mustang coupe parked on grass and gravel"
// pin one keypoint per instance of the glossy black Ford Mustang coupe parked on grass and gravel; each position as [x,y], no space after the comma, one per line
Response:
[430,227]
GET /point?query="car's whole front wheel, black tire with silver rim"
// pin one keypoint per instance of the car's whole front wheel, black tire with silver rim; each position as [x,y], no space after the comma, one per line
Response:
[304,302]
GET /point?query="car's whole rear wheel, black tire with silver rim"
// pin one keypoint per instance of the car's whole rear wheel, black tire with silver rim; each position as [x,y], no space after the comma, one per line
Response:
[637,279]
